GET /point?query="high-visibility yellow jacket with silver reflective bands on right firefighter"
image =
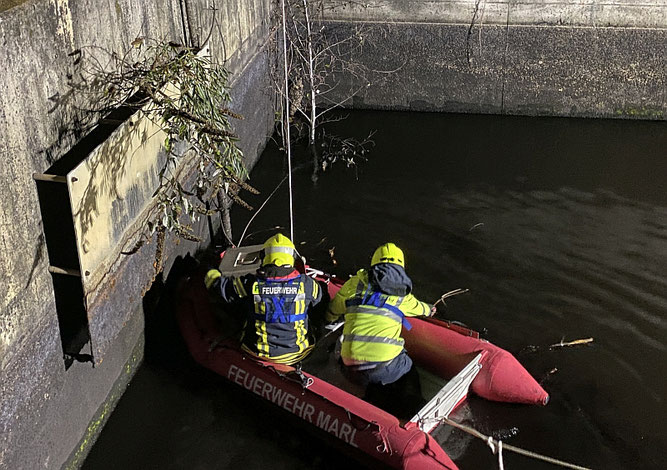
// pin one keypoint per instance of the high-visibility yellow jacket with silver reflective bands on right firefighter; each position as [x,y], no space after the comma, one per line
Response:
[373,318]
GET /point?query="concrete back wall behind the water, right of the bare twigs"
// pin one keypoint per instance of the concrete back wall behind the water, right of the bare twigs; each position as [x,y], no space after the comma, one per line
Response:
[585,58]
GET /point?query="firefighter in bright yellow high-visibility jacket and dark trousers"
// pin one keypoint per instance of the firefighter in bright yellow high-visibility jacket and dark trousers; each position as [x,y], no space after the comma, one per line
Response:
[376,304]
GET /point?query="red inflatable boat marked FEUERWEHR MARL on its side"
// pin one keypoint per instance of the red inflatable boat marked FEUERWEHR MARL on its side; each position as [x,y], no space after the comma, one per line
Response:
[320,396]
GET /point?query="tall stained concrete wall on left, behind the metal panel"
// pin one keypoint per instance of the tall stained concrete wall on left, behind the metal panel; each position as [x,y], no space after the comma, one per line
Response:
[49,416]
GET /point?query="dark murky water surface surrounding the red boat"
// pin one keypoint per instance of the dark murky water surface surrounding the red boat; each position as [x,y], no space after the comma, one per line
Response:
[557,226]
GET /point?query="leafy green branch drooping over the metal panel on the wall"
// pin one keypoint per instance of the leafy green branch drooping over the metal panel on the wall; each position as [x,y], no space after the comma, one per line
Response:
[186,95]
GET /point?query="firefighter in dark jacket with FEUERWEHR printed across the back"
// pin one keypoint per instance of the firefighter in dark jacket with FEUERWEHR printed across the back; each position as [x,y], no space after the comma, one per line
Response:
[277,299]
